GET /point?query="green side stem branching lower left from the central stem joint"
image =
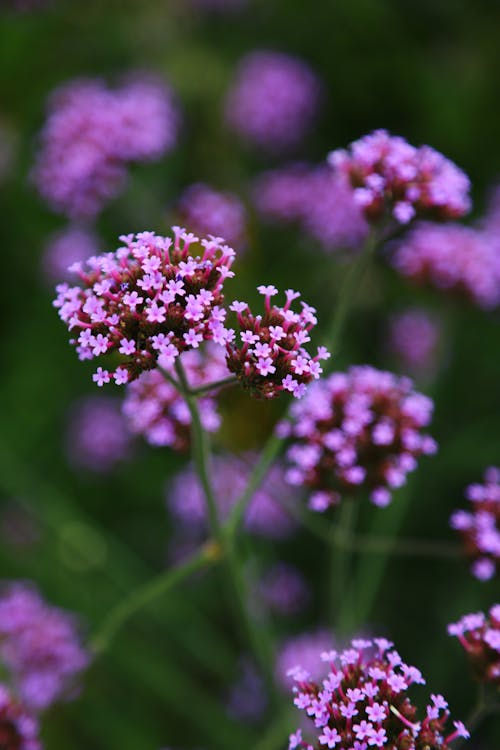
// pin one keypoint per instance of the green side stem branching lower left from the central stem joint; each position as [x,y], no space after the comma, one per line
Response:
[156,587]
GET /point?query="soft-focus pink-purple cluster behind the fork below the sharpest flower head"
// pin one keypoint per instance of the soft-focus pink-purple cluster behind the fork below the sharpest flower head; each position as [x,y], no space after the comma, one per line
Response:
[155,409]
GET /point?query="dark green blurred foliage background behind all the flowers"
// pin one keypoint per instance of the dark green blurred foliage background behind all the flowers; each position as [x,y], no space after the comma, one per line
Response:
[429,71]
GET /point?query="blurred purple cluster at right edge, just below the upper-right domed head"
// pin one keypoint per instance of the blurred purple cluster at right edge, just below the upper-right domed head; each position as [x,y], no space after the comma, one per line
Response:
[454,258]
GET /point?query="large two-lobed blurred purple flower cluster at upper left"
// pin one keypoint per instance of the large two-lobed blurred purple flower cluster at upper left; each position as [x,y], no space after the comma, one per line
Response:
[90,135]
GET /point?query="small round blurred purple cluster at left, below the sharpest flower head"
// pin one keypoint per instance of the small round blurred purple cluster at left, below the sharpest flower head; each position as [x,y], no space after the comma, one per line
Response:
[97,437]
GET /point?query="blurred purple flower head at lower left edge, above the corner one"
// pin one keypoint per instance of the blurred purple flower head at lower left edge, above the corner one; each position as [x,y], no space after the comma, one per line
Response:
[39,646]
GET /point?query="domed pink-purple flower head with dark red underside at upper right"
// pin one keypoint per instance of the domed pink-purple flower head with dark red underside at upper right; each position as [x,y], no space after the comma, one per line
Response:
[393,178]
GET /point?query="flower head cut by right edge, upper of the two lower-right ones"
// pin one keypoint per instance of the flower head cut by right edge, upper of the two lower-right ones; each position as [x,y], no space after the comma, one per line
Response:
[480,527]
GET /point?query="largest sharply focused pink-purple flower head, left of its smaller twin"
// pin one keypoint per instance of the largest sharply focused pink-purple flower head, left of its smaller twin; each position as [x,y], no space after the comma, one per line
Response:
[148,302]
